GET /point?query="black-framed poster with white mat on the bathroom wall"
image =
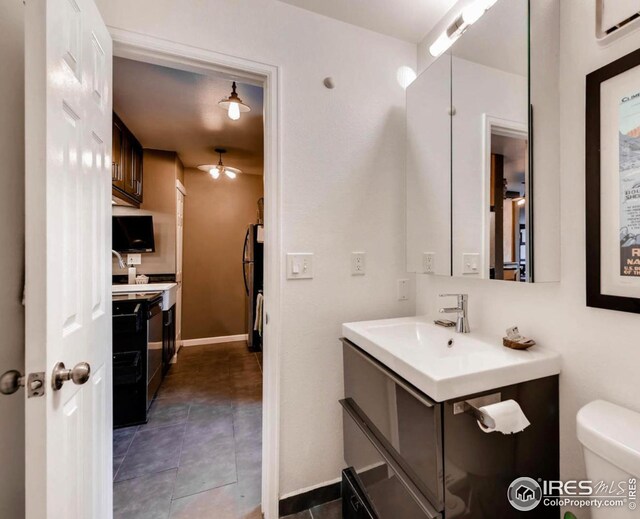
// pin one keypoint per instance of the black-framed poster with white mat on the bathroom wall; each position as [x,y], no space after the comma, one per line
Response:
[613,185]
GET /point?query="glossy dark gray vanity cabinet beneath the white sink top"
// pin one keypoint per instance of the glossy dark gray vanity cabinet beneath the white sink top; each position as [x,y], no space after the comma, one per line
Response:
[409,456]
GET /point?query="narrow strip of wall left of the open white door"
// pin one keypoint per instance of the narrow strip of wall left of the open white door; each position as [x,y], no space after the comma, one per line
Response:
[12,256]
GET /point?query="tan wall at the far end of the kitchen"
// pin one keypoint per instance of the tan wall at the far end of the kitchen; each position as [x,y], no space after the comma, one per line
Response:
[217,214]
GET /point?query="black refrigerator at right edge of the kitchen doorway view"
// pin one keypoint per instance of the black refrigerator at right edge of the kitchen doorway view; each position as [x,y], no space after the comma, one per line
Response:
[253,272]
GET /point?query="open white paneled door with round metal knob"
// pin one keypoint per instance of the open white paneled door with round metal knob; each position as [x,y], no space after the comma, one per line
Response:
[68,67]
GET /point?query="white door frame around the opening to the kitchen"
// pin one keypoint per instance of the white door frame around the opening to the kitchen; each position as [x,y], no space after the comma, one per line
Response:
[139,47]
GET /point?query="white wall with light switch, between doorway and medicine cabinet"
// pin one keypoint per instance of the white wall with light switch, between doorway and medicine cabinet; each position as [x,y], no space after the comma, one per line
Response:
[343,189]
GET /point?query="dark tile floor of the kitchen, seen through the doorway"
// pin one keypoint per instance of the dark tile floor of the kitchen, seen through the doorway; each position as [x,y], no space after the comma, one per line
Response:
[199,456]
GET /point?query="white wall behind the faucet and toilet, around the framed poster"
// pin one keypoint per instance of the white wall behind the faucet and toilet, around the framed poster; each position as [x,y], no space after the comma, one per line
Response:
[601,353]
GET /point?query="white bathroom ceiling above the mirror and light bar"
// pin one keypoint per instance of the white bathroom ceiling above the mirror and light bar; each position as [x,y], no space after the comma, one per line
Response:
[409,20]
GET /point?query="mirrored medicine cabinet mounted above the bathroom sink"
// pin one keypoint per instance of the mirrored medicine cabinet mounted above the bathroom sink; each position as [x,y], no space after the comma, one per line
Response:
[470,154]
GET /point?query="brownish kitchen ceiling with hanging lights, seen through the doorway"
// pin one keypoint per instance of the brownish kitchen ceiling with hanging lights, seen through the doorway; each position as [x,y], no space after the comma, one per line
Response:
[174,110]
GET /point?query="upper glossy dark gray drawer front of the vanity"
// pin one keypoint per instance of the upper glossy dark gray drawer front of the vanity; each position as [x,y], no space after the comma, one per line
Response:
[405,418]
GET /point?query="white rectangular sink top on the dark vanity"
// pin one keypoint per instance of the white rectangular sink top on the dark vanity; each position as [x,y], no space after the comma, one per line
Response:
[419,351]
